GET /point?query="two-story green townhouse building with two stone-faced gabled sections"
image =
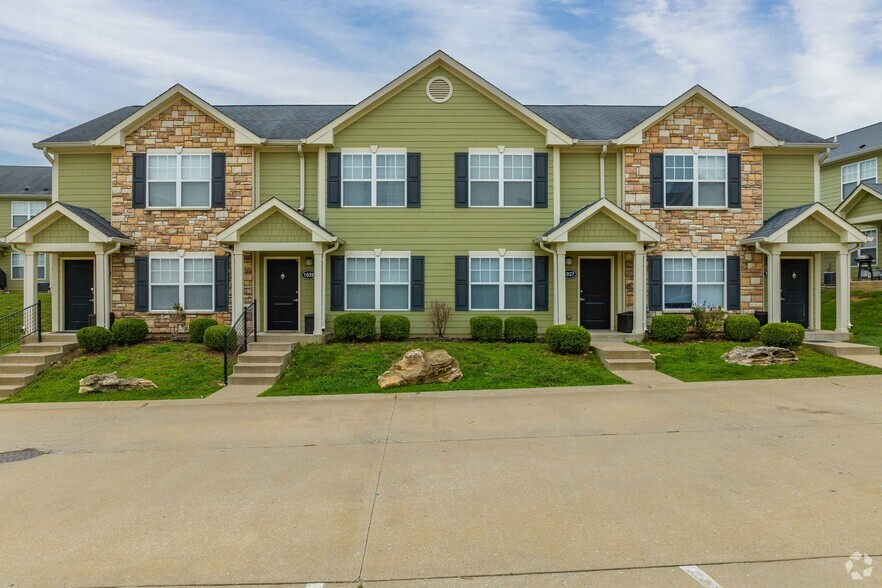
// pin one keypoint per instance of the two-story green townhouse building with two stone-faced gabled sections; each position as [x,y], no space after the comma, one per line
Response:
[437,186]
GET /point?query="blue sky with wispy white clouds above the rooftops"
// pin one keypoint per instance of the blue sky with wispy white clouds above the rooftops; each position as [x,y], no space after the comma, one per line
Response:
[814,64]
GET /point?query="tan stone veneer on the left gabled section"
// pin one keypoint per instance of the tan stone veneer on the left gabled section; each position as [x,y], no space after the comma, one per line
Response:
[180,125]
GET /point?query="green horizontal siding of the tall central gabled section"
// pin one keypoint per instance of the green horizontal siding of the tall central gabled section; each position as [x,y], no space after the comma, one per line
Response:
[437,230]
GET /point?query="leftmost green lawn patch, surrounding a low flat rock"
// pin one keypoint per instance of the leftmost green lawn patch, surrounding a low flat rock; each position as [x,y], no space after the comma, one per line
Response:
[180,370]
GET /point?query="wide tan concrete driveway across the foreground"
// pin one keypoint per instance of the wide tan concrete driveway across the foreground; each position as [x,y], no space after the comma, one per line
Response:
[724,484]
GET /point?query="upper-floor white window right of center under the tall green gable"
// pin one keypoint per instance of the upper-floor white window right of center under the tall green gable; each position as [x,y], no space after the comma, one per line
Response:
[501,179]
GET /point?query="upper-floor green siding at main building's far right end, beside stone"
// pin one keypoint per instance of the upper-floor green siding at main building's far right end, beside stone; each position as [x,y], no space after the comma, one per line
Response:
[788,181]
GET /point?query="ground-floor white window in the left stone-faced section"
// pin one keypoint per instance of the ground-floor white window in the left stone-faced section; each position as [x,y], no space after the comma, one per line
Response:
[188,281]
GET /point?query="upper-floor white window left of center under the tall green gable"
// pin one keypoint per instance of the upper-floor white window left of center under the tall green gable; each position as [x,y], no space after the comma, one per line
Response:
[375,179]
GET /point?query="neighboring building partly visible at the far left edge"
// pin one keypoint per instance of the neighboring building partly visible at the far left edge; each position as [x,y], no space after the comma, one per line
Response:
[25,190]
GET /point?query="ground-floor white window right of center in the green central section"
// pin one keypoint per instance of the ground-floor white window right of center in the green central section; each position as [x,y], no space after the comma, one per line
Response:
[501,283]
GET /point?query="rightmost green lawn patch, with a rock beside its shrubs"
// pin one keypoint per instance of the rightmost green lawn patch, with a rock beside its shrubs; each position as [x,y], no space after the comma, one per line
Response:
[701,362]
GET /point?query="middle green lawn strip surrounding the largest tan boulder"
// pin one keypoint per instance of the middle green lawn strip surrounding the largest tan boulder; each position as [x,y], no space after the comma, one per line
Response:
[341,368]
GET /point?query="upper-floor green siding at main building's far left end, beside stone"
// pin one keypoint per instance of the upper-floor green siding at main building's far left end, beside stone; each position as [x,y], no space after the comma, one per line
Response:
[84,180]
